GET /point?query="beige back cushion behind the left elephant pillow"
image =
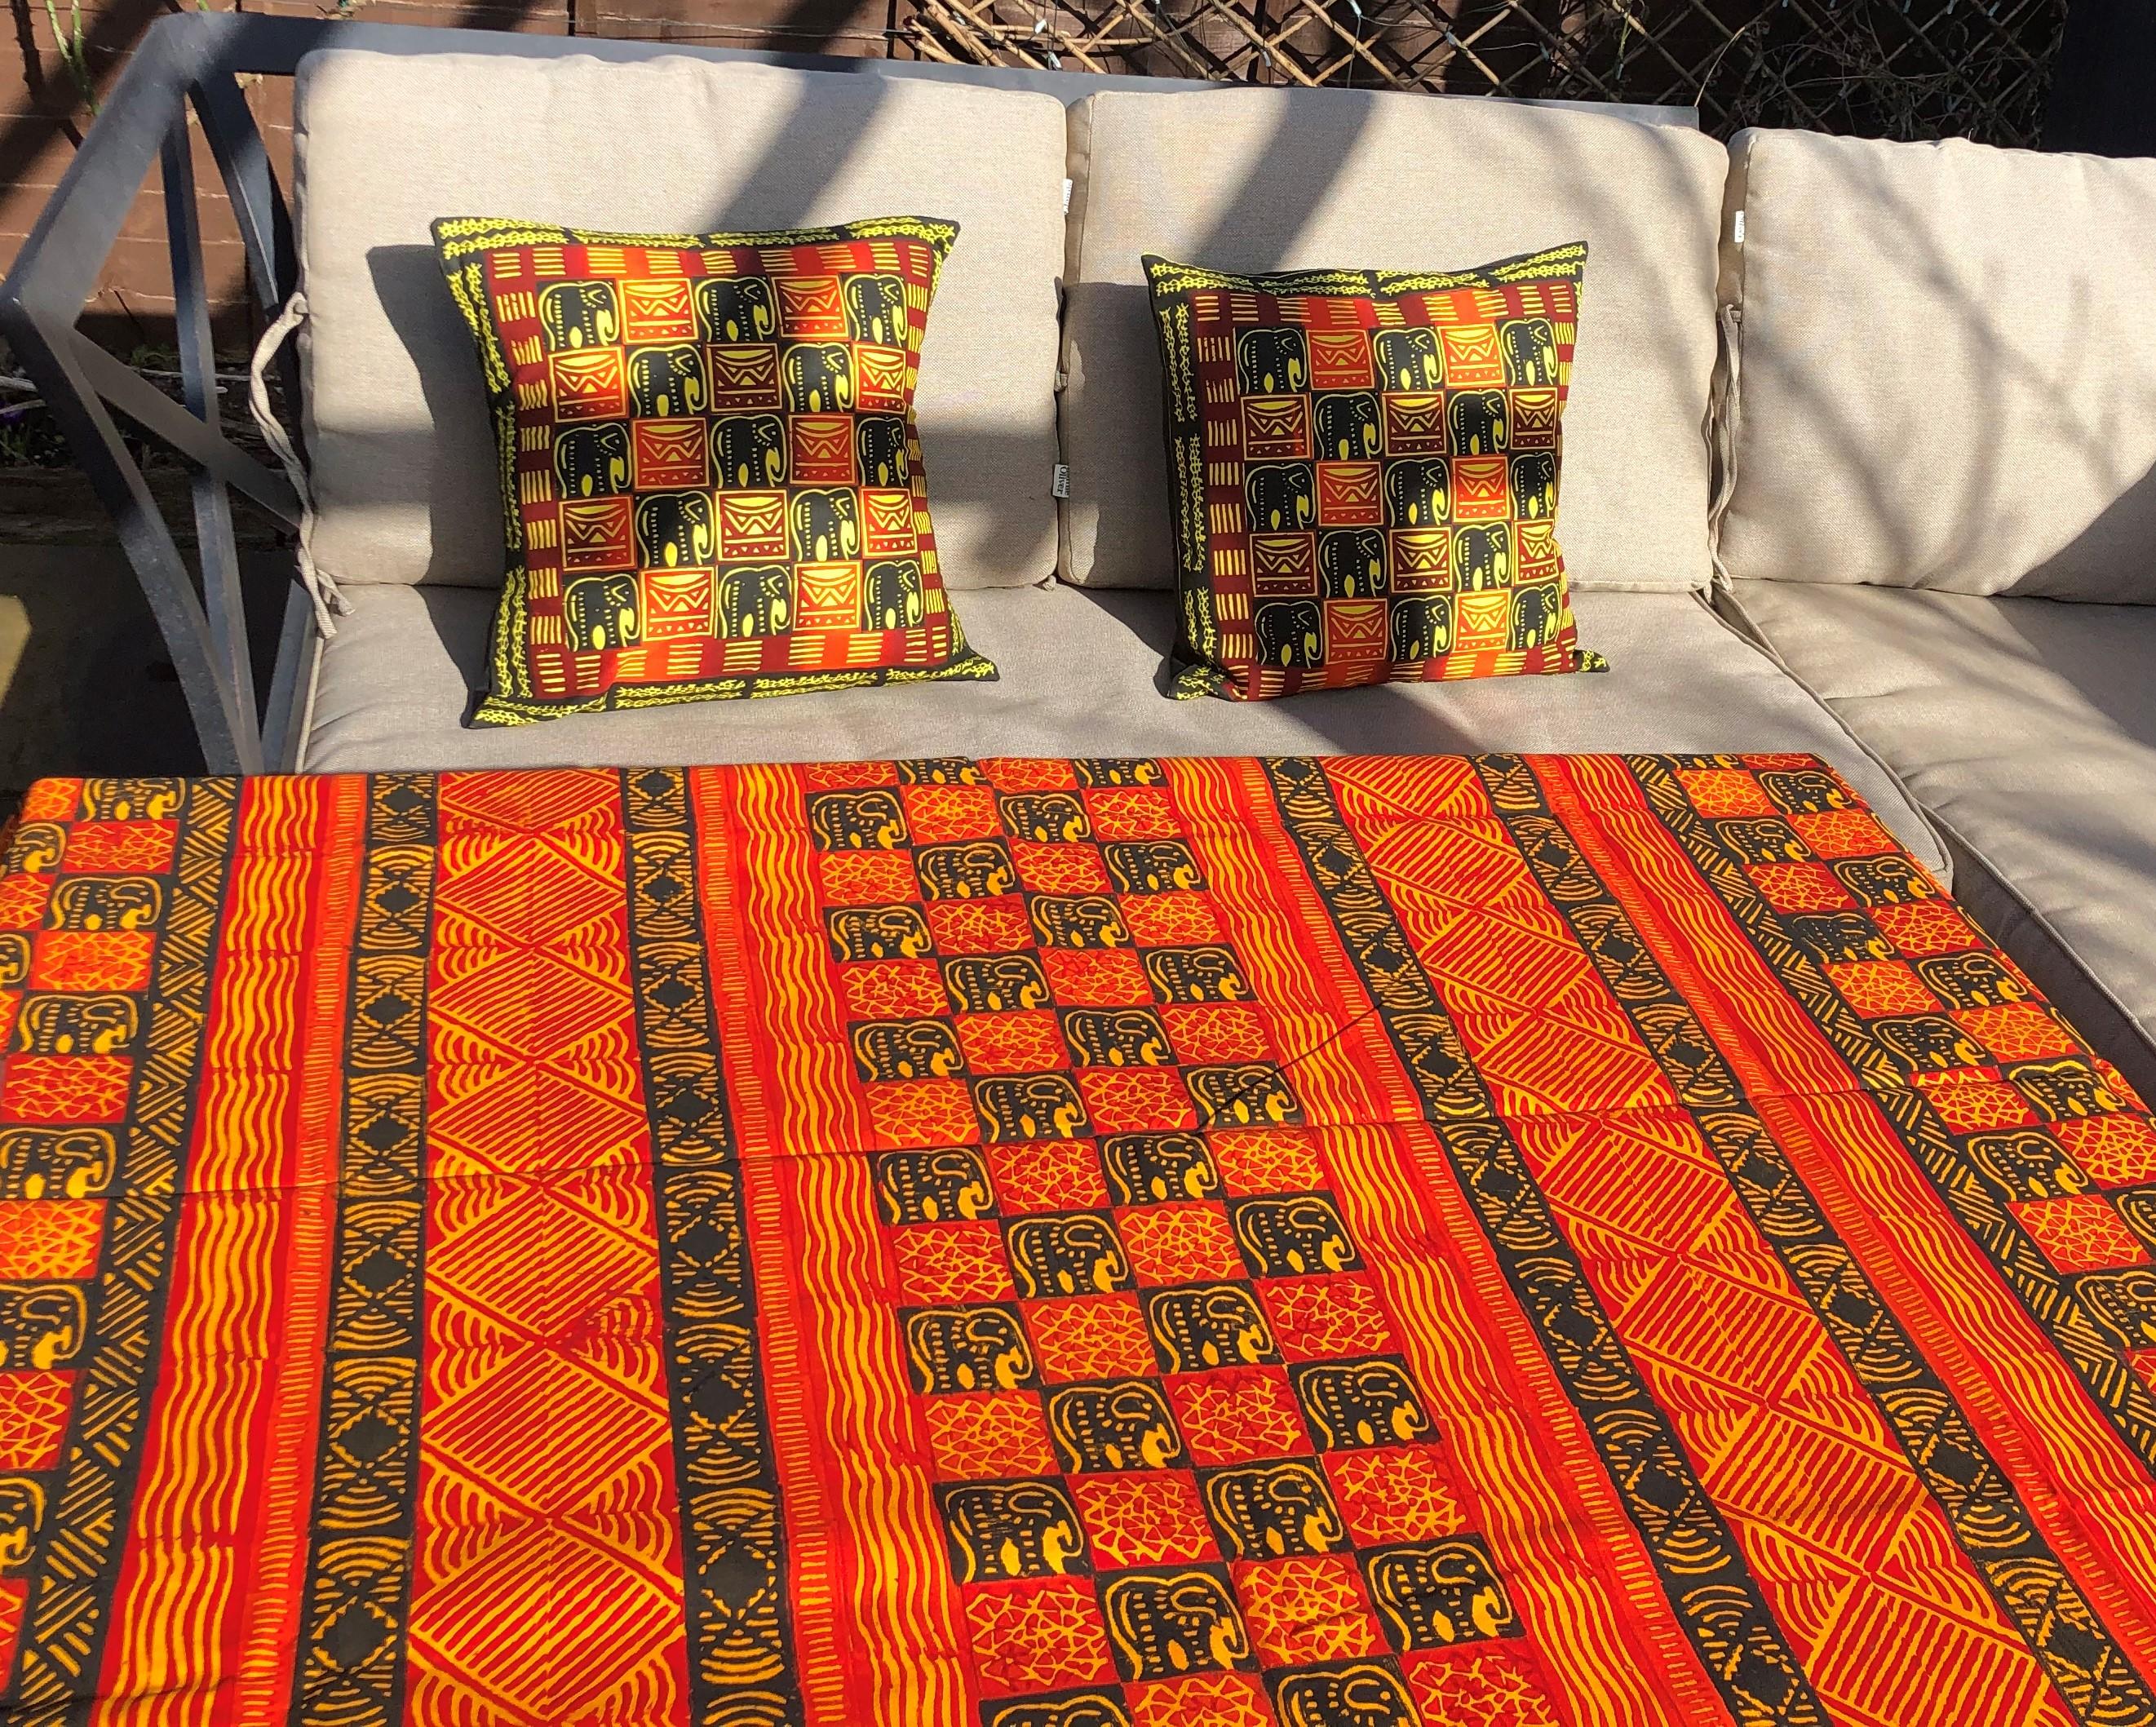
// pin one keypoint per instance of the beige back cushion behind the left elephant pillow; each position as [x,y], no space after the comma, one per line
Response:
[398,428]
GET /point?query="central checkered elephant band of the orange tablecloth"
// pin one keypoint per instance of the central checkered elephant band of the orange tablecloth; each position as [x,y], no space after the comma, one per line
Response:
[1183,1469]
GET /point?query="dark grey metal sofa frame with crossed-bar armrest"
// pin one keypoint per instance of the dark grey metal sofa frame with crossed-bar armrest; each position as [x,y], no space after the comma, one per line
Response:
[193,61]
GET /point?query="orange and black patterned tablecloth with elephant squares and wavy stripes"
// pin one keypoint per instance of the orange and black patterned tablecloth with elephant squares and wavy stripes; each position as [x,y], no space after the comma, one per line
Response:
[1353,1243]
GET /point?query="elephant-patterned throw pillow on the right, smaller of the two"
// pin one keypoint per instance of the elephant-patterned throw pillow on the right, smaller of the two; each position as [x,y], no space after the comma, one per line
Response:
[1366,471]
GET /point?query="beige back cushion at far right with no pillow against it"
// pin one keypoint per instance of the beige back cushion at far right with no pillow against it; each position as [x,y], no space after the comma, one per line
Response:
[1948,370]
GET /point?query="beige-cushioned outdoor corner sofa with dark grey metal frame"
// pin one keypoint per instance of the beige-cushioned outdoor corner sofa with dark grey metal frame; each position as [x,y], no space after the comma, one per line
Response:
[1857,458]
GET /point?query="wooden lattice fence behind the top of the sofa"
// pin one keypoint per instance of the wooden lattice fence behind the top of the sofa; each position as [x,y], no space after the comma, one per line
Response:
[1879,68]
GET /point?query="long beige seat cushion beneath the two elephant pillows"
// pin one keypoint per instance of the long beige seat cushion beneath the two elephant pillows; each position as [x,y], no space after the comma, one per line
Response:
[1083,676]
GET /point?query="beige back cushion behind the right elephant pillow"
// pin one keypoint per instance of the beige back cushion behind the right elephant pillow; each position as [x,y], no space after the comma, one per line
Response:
[1286,180]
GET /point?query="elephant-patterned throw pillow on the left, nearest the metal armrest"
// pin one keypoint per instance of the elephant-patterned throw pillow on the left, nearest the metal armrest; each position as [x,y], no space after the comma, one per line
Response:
[710,469]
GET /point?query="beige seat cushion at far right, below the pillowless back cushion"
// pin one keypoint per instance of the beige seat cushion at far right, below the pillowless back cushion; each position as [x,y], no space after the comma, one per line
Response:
[2028,728]
